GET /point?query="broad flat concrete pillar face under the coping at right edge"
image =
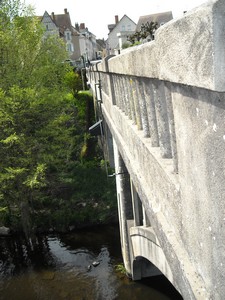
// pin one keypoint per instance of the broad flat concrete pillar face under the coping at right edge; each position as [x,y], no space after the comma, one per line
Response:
[201,147]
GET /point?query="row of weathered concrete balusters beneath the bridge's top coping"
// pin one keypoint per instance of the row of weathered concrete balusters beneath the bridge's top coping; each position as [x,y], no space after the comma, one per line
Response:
[147,103]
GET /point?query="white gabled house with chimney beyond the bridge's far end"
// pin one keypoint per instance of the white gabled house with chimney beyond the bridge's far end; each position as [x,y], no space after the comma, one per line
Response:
[118,34]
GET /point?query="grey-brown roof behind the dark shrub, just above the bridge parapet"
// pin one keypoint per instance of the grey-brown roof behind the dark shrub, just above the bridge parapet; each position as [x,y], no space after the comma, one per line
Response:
[160,18]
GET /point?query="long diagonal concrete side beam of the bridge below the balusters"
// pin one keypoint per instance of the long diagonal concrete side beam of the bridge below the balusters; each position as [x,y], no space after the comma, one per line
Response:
[159,190]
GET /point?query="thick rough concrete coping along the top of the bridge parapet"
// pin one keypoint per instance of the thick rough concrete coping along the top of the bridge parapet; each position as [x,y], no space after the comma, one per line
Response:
[189,50]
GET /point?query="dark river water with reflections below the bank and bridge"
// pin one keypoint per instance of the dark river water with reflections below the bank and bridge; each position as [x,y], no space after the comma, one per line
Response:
[58,268]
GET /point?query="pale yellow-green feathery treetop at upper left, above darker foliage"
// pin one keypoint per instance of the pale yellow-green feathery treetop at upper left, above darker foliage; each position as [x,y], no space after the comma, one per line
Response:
[27,59]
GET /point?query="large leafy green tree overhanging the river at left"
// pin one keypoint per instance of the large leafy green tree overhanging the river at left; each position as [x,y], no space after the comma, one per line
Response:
[35,109]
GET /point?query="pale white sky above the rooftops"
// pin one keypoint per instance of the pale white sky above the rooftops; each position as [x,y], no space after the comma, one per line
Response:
[97,14]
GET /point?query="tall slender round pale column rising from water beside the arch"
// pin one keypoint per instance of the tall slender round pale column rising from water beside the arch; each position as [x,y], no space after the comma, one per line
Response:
[121,173]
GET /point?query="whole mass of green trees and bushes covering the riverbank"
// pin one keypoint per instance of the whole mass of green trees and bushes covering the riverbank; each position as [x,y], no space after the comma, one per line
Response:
[52,173]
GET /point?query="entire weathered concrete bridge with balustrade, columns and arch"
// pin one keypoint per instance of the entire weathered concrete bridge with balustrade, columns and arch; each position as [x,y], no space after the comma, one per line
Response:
[160,109]
